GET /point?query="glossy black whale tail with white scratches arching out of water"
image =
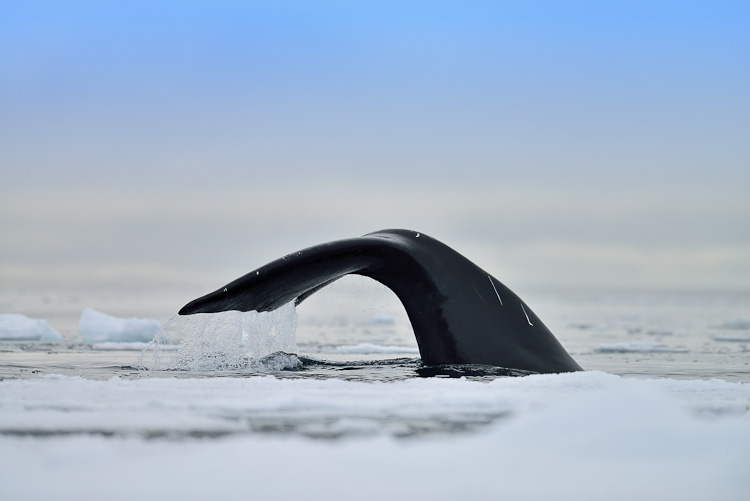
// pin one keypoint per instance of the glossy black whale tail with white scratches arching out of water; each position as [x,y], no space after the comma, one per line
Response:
[460,314]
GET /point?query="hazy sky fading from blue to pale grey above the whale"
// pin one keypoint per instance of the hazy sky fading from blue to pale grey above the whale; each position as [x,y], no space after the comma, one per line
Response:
[556,144]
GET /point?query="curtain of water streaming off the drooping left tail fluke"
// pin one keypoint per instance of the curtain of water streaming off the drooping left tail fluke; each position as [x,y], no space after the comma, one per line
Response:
[229,340]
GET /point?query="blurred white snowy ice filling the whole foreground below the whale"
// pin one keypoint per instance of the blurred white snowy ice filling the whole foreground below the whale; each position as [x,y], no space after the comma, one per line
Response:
[587,435]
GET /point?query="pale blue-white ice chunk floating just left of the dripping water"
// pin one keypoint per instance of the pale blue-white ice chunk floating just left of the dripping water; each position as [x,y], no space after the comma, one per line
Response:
[98,327]
